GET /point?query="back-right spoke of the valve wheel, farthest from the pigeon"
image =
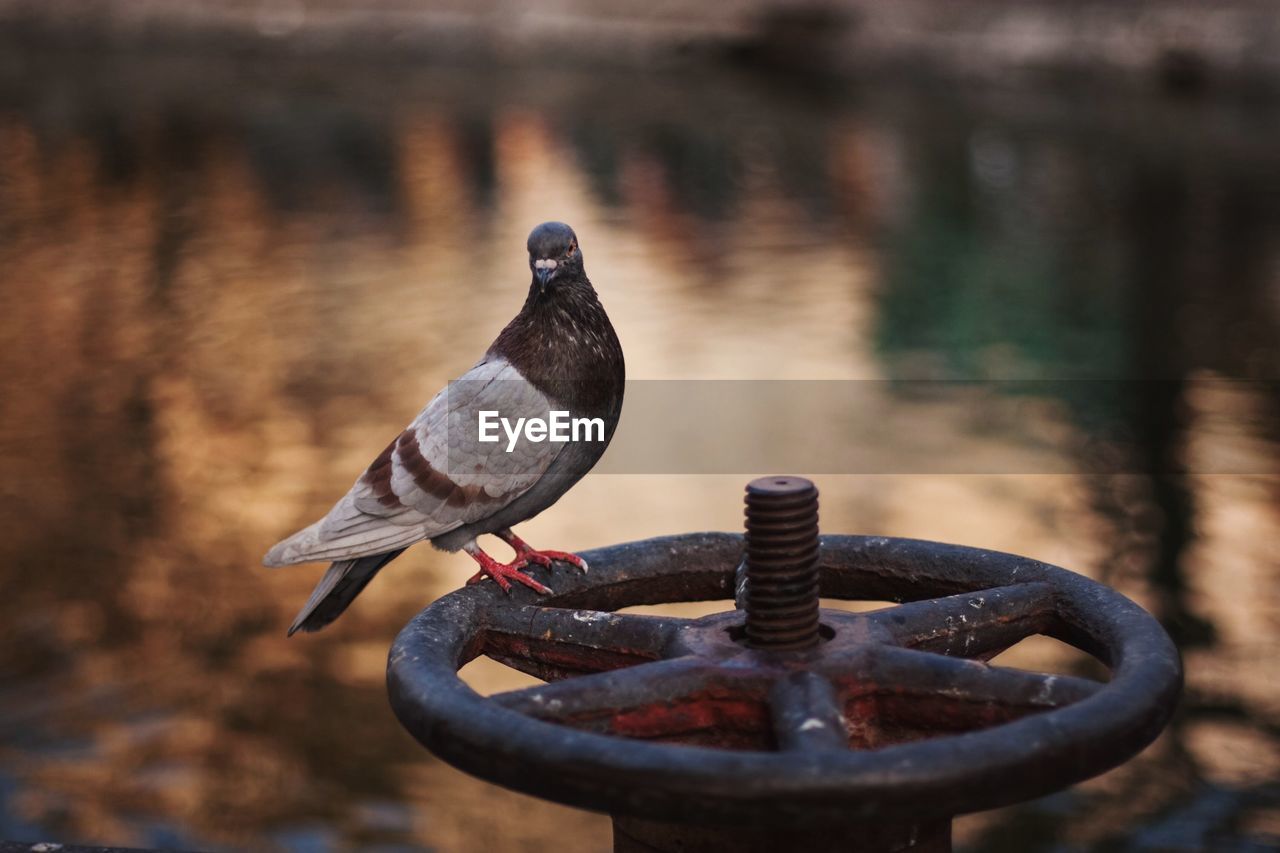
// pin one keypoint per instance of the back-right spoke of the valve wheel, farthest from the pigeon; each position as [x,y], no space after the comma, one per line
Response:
[977,626]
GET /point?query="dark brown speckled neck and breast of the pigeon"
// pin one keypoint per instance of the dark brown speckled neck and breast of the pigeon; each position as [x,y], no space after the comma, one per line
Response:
[564,344]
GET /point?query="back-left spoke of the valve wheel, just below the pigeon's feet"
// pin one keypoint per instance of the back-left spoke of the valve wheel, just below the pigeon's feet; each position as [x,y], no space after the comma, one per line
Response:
[555,644]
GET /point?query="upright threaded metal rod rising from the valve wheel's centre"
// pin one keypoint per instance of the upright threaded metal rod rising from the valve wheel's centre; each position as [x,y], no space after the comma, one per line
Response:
[781,563]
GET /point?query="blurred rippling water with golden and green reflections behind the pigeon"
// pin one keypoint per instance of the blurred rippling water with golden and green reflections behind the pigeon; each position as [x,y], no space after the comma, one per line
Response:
[226,286]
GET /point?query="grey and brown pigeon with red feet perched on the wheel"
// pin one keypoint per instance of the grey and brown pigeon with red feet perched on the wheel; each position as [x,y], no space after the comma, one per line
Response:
[445,481]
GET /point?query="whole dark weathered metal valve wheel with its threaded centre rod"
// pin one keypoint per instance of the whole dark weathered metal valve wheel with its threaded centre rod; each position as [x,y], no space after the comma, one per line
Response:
[788,715]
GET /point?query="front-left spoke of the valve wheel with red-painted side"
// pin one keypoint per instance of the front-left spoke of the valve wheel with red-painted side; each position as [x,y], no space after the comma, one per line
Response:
[671,700]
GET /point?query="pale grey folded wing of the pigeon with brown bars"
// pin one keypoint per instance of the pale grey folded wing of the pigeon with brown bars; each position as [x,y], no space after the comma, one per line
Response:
[437,476]
